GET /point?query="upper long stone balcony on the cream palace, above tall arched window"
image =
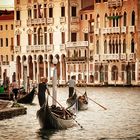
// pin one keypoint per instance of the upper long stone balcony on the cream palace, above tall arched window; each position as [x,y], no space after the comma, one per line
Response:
[36,21]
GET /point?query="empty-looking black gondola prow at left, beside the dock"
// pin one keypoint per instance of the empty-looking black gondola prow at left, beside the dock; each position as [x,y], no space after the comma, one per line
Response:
[28,97]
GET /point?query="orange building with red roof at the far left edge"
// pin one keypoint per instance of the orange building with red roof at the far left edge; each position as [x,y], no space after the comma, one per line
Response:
[7,63]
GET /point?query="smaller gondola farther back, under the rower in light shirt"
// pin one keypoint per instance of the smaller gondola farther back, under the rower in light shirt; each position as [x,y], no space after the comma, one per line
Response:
[81,101]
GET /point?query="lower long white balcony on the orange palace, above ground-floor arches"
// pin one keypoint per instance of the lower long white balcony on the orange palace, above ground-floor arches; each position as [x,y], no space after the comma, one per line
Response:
[110,57]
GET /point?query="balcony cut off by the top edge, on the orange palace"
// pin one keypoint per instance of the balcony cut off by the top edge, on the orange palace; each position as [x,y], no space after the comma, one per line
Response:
[114,3]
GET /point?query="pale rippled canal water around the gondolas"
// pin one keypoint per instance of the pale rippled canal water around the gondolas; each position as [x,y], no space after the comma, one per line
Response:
[121,120]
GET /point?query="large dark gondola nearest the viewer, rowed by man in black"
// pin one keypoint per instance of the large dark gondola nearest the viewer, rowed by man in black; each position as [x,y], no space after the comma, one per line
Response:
[52,117]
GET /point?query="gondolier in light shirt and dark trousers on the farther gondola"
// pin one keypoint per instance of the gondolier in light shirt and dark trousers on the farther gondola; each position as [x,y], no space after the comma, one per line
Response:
[71,83]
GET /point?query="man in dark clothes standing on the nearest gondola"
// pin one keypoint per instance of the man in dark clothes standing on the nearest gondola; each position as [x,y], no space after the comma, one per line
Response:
[42,87]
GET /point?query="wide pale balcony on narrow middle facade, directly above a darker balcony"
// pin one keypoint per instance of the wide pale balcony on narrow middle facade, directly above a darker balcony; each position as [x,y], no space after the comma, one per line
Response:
[77,44]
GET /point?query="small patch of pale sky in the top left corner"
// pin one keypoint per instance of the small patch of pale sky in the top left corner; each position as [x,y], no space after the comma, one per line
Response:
[6,3]
